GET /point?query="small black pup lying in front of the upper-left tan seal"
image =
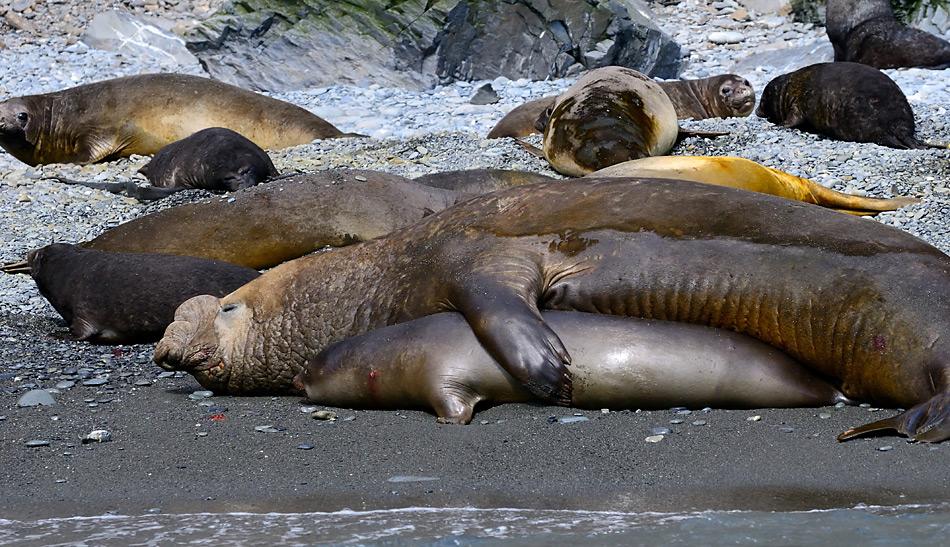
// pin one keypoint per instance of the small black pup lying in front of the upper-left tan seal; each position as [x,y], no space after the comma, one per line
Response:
[215,159]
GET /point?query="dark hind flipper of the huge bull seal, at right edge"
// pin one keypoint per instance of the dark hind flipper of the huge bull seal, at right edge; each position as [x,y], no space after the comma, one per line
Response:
[928,422]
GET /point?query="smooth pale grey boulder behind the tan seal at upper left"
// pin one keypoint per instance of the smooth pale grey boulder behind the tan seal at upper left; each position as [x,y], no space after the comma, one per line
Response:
[137,37]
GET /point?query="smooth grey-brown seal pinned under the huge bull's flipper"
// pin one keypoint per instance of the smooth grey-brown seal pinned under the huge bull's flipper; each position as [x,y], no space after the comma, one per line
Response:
[617,362]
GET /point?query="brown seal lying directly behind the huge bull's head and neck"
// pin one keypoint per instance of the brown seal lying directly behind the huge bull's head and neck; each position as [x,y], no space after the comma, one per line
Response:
[266,225]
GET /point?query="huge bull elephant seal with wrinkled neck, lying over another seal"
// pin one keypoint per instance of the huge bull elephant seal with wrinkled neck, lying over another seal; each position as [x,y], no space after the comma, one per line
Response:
[861,303]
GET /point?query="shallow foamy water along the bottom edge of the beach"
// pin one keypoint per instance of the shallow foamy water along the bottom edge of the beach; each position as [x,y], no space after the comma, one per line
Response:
[902,525]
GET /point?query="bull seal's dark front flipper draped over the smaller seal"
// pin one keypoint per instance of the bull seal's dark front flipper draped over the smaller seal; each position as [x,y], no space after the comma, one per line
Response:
[512,331]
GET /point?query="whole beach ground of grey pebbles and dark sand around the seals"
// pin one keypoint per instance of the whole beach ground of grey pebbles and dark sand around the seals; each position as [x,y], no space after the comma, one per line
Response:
[173,448]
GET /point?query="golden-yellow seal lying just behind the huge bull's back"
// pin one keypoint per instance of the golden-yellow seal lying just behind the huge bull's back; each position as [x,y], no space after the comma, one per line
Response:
[749,175]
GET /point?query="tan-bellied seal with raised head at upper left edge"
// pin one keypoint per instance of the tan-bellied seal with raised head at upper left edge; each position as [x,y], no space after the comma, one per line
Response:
[141,114]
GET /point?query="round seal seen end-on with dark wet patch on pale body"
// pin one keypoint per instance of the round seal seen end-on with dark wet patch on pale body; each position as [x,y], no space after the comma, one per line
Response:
[610,115]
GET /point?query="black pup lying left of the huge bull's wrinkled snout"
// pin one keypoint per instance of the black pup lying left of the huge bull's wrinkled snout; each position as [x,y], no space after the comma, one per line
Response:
[124,298]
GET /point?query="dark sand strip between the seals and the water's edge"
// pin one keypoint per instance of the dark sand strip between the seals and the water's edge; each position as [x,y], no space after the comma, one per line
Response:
[160,457]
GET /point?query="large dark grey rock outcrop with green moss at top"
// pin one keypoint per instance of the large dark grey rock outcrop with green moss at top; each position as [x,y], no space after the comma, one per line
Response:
[283,45]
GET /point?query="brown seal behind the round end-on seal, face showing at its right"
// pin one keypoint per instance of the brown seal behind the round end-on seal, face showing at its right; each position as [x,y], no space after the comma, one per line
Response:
[724,96]
